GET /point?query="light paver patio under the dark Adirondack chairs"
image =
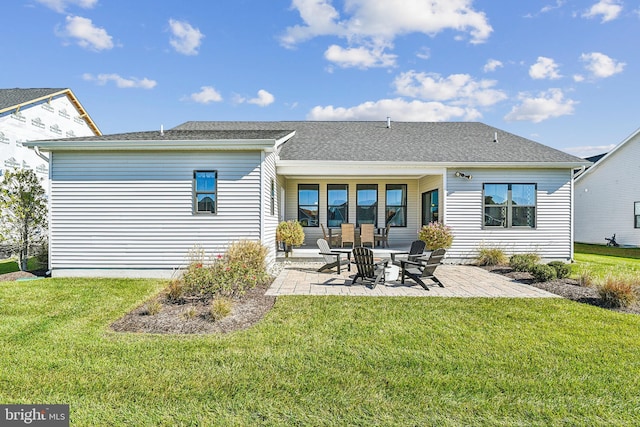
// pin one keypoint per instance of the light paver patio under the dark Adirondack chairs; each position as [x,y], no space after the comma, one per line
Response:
[458,281]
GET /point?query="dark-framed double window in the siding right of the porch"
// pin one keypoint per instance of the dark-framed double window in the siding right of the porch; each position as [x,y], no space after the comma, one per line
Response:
[509,205]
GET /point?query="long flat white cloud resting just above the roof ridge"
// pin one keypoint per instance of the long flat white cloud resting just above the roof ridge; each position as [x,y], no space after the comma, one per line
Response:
[398,109]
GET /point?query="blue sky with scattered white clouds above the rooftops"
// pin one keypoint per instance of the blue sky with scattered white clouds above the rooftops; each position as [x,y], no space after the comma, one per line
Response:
[564,73]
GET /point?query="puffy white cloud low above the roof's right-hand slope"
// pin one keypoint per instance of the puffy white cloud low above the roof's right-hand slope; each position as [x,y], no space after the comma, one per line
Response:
[546,105]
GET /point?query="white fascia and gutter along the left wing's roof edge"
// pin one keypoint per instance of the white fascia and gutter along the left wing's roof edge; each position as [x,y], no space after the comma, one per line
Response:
[154,145]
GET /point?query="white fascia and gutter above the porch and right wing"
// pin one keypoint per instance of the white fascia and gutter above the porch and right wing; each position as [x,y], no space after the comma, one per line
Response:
[350,168]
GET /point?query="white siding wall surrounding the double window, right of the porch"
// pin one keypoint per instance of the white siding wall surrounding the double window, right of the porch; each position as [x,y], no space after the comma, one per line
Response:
[551,239]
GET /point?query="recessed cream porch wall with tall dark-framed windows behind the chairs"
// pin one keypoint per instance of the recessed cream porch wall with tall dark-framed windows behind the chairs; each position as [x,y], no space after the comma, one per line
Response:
[406,203]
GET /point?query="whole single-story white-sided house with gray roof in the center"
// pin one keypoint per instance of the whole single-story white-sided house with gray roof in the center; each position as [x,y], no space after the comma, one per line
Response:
[134,204]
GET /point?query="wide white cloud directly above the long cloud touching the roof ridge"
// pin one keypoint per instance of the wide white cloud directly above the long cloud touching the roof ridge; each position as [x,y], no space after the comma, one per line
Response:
[458,89]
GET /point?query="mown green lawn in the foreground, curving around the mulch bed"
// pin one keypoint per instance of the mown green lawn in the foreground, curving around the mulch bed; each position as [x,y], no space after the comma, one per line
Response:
[330,361]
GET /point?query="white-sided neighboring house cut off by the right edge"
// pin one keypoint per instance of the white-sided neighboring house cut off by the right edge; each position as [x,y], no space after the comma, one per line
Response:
[608,196]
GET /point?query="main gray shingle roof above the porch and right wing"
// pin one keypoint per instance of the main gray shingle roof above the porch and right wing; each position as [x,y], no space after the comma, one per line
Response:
[464,142]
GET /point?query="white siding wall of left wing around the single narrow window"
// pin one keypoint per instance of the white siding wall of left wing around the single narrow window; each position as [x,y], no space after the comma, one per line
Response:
[135,210]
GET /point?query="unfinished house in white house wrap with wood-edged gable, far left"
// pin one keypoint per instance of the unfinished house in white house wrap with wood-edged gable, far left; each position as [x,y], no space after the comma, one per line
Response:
[36,114]
